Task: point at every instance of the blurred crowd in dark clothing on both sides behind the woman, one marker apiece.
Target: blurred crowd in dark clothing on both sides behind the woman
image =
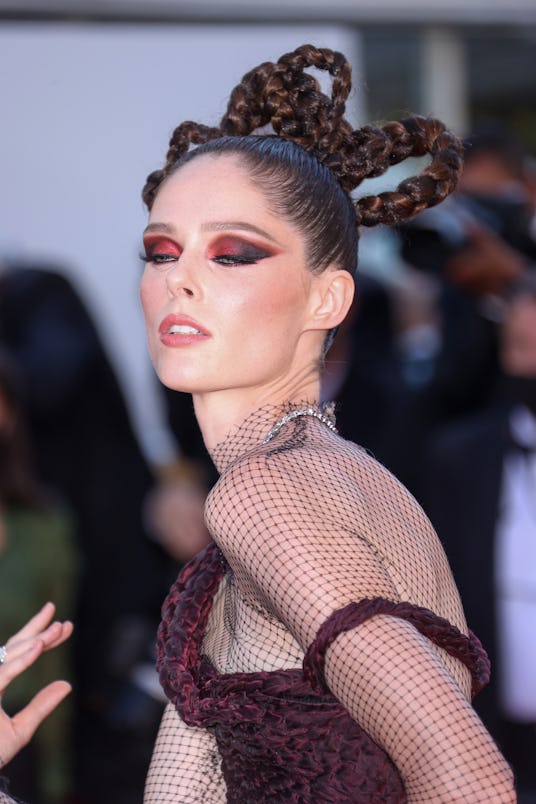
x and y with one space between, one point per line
434 373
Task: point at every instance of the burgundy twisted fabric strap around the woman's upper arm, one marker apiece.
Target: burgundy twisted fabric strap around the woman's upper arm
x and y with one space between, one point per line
468 649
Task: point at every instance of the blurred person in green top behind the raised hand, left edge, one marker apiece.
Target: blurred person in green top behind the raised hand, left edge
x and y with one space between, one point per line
38 563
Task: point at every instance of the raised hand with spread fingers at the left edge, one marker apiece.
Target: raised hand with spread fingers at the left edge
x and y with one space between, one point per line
23 648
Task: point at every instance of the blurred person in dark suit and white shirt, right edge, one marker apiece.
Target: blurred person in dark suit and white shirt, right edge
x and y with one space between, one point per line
478 486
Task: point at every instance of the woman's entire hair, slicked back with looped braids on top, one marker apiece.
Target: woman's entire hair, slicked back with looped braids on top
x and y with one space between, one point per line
309 166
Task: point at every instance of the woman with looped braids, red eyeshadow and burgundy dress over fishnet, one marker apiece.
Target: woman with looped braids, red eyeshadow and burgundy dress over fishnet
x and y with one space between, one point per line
318 650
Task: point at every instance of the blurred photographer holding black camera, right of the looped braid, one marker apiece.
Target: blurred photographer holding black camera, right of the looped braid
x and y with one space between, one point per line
475 250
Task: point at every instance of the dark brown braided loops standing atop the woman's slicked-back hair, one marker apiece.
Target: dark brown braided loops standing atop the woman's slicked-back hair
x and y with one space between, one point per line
286 96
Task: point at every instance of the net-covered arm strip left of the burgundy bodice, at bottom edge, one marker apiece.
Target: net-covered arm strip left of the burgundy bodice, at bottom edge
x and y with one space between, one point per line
186 765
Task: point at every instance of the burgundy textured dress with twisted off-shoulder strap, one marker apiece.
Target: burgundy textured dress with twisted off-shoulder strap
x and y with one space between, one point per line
282 736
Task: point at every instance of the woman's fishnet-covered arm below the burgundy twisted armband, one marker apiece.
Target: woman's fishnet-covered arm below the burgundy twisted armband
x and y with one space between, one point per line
394 684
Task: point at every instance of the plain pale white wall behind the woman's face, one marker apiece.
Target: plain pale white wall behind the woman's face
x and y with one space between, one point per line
87 113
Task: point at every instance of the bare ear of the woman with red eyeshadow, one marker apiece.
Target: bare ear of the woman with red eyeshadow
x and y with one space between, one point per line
331 298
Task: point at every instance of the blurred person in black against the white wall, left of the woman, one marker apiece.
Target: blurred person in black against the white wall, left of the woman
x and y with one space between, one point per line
86 452
